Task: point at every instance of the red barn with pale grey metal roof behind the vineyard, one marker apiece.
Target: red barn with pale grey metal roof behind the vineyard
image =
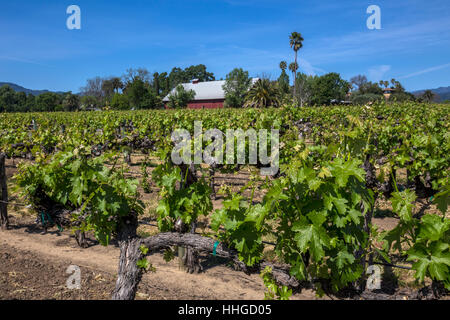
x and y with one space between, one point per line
208 95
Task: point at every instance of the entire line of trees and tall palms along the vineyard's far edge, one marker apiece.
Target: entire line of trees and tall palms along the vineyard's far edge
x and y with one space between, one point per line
139 89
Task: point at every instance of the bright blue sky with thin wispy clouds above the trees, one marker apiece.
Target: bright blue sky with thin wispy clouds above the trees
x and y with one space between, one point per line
37 50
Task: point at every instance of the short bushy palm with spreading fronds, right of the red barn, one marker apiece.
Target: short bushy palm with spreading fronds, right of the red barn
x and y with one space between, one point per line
263 94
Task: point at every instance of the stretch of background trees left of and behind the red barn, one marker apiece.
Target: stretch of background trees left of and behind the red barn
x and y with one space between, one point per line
135 89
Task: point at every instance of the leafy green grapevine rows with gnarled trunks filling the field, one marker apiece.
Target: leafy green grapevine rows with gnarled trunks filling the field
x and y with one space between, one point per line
309 226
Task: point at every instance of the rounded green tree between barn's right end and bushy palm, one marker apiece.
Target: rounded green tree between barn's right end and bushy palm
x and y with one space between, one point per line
237 84
